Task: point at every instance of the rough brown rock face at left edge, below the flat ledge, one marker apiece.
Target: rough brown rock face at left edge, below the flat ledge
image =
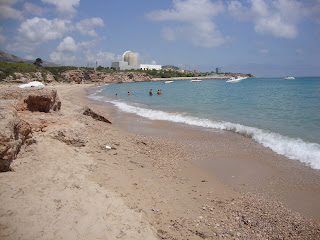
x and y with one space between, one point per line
13 134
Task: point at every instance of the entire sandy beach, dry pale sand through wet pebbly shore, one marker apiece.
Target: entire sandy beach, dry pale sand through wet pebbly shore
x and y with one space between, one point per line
158 181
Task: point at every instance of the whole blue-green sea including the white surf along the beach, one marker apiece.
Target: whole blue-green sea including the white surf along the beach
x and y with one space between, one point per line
283 115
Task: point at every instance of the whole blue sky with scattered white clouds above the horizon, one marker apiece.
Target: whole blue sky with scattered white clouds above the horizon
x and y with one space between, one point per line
266 38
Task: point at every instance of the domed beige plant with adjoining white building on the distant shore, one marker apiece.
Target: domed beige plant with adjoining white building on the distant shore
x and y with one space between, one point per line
130 61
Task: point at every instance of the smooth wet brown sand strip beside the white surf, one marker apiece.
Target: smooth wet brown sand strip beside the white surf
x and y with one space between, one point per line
239 162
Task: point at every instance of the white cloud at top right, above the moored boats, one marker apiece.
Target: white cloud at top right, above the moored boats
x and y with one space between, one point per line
275 17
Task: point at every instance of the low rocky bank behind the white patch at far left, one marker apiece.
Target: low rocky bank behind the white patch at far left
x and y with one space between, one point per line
18 77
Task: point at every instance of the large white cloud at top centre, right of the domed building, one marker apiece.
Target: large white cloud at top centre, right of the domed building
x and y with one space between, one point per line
193 22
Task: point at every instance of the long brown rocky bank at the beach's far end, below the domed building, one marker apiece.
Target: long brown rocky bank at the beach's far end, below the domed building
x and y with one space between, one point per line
91 76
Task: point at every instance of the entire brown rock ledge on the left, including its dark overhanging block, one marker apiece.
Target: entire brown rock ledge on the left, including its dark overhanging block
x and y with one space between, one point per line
15 128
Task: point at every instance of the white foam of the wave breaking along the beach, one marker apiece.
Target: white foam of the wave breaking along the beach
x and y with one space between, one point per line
296 149
